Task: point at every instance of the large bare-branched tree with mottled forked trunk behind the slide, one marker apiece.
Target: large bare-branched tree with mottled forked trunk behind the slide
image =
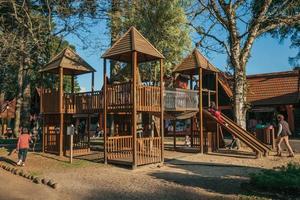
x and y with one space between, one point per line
231 27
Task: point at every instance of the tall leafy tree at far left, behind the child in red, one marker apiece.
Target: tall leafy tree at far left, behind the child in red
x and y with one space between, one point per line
28 30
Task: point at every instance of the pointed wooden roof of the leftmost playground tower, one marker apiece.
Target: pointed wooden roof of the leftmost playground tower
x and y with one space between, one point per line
72 63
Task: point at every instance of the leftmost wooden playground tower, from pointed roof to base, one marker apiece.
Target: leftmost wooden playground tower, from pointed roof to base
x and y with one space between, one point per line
58 106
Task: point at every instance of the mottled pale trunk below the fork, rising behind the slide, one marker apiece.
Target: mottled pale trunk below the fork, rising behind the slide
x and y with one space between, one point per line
240 92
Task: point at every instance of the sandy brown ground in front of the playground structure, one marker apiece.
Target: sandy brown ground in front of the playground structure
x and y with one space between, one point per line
183 176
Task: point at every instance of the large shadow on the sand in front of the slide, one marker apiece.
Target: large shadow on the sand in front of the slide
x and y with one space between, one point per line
215 178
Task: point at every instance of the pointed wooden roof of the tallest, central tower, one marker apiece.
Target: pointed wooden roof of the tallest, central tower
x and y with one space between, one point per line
131 41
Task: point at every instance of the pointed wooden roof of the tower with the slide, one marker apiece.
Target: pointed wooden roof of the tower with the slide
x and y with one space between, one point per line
192 62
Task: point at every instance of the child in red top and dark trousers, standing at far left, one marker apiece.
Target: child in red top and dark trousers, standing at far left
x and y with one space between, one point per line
23 146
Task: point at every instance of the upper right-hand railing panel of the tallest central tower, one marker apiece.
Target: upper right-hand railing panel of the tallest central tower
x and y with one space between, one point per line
148 98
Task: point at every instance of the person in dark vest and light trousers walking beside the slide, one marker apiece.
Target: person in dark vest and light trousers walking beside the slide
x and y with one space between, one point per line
283 135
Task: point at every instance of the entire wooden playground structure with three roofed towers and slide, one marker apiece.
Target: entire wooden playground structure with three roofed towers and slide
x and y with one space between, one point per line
132 114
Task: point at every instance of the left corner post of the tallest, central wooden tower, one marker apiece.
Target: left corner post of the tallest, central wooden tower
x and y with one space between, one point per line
105 112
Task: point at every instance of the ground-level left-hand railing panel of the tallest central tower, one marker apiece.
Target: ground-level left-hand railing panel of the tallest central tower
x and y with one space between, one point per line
119 147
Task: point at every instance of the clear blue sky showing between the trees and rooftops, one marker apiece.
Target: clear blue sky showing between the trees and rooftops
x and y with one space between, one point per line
267 55
